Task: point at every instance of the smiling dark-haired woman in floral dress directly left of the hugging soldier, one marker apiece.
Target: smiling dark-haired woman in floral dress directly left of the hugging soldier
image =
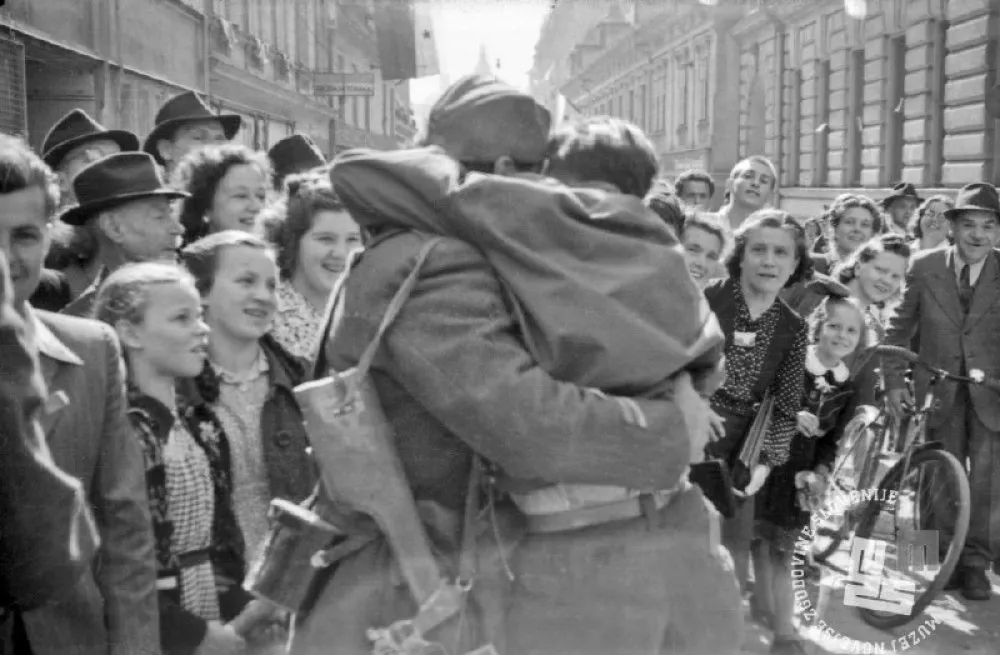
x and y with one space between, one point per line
314 235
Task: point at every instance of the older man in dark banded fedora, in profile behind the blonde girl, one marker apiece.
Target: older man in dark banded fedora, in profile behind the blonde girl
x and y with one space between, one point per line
124 201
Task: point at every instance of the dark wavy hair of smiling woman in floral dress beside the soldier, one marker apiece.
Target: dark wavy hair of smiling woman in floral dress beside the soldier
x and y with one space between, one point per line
286 222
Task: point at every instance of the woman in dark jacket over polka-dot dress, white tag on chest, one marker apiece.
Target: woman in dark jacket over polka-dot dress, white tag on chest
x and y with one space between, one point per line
765 353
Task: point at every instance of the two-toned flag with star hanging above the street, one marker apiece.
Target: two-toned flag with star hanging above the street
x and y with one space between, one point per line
407 45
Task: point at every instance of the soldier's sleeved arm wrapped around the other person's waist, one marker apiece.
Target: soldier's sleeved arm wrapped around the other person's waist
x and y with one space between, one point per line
456 349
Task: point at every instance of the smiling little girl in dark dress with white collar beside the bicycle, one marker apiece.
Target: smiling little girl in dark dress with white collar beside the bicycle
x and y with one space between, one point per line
793 488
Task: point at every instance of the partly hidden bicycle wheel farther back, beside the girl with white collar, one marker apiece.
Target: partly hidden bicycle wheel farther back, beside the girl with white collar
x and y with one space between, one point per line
855 468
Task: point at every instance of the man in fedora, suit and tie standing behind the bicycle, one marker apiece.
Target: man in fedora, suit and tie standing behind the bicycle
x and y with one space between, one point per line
950 306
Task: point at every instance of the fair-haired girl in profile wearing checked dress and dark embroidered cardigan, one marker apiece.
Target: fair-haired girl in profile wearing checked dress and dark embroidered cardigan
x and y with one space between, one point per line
156 312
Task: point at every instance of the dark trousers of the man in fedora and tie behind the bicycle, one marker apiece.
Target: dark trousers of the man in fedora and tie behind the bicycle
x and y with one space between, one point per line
977 447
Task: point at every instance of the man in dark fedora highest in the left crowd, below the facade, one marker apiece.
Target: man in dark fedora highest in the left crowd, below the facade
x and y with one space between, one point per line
184 123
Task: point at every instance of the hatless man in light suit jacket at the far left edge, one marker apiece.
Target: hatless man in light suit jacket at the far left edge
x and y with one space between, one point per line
111 609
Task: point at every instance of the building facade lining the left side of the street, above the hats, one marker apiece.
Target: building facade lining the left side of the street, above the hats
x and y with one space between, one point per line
120 61
